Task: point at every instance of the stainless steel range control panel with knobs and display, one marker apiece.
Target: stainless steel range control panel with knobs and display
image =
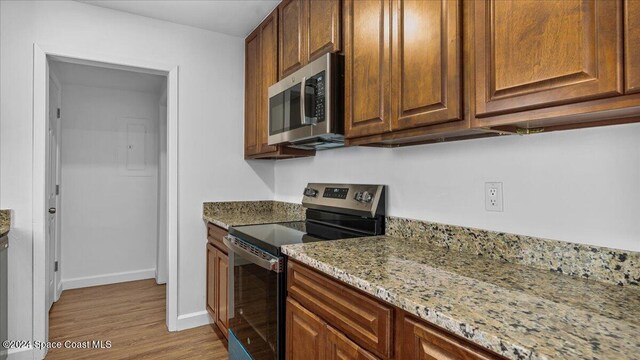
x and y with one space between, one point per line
364 200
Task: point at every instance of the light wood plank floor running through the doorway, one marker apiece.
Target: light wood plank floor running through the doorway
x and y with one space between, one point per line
132 316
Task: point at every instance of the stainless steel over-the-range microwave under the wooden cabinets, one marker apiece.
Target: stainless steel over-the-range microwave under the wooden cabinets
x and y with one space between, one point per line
306 107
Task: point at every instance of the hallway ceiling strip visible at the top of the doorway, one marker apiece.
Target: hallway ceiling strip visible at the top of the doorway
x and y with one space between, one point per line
86 75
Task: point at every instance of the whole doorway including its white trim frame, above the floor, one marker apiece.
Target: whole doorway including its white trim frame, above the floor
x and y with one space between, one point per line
105 176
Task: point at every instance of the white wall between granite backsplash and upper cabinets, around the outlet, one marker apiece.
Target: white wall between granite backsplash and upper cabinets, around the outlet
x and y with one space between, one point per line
581 186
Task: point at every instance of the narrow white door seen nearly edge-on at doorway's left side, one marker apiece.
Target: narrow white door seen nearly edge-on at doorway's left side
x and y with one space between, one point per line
51 186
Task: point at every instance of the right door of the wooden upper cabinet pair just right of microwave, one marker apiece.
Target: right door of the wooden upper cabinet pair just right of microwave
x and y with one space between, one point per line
426 63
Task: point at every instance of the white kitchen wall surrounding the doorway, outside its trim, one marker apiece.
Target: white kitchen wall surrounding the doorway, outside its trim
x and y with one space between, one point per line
210 133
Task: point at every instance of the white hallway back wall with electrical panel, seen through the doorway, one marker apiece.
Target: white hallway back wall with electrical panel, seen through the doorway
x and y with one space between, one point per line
109 215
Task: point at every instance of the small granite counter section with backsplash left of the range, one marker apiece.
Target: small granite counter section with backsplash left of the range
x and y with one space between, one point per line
230 213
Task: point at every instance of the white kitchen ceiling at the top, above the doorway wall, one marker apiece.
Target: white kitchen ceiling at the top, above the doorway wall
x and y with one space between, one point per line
236 18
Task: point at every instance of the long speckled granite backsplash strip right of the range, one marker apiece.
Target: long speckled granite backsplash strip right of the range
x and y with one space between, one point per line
599 263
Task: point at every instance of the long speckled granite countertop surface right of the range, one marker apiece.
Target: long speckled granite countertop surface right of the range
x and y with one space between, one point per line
515 310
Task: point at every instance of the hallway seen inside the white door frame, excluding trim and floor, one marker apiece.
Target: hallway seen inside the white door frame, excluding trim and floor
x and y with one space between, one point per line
106 178
